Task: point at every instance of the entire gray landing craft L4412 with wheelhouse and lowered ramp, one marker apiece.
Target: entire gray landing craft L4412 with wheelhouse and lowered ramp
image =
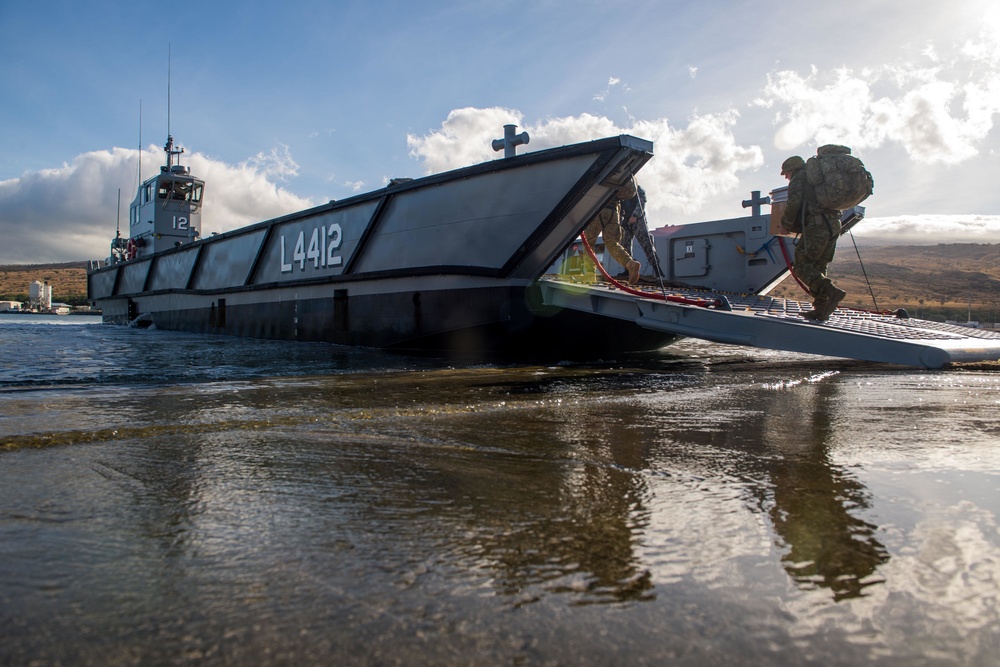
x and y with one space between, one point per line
469 260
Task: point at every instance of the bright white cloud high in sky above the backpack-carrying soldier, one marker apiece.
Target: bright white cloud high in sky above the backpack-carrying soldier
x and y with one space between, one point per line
939 111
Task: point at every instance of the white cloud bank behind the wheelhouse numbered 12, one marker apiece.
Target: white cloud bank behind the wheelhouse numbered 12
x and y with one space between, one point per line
69 213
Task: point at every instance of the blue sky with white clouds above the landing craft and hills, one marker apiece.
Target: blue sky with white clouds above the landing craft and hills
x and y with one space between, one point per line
283 106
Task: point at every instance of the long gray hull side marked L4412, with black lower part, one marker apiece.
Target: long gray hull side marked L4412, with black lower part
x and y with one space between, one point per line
447 262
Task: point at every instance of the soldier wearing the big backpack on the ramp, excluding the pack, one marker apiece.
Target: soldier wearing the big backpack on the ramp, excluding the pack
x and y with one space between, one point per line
820 230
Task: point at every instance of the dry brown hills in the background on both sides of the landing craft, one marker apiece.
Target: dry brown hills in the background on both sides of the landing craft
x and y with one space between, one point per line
936 282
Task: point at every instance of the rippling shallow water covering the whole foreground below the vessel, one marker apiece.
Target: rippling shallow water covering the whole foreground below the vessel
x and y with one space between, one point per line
172 499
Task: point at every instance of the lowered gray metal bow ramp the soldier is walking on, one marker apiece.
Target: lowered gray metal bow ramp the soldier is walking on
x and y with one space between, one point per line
777 324
